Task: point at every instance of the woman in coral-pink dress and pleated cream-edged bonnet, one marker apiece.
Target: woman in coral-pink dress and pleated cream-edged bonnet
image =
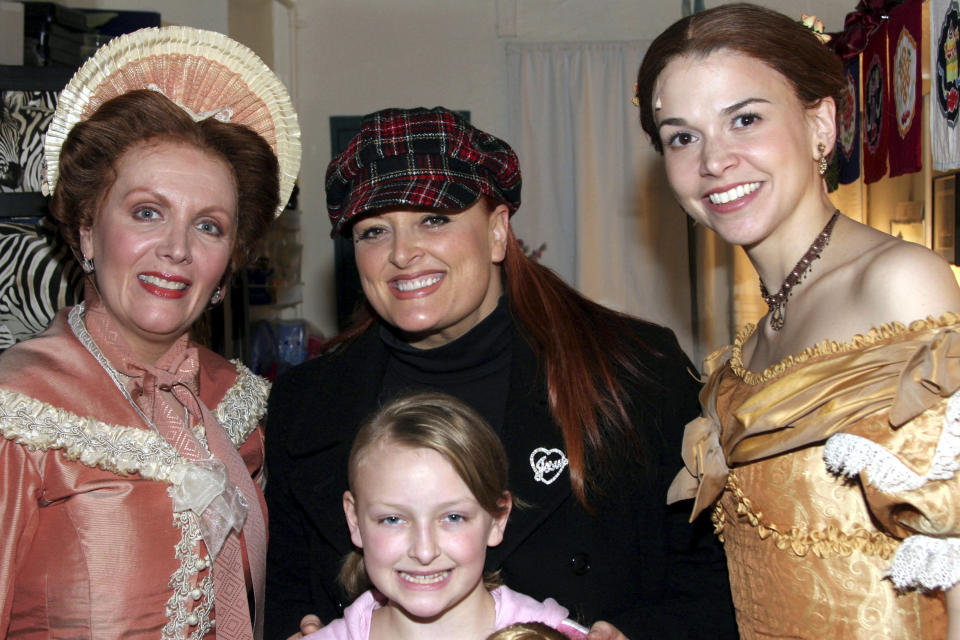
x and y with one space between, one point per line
131 455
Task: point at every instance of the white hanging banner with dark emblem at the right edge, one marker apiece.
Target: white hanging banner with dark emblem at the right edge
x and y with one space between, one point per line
945 85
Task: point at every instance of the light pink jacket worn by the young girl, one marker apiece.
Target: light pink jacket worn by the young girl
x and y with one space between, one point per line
512 607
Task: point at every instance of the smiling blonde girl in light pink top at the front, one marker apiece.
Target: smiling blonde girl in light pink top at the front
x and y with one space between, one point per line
428 494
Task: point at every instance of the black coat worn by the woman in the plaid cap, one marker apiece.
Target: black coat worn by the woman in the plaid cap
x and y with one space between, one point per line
636 562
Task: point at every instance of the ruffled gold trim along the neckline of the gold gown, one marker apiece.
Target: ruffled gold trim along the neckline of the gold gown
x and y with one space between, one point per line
884 333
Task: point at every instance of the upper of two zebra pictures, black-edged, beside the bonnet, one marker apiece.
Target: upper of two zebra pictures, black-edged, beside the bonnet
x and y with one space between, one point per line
28 98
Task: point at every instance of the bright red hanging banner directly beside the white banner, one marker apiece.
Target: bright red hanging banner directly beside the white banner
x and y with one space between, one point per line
905 115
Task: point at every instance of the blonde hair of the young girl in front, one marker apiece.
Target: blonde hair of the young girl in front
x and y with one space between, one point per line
441 423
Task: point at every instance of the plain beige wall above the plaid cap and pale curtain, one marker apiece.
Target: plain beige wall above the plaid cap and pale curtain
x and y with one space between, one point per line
357 56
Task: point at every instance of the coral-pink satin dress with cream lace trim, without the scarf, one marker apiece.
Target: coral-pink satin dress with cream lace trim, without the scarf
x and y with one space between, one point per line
90 543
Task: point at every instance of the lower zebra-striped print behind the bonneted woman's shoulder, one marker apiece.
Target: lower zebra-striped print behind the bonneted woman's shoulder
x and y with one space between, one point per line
38 276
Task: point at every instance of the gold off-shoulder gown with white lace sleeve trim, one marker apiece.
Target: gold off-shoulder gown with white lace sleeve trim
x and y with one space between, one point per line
836 471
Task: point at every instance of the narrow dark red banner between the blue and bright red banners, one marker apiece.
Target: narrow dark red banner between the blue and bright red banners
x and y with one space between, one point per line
875 106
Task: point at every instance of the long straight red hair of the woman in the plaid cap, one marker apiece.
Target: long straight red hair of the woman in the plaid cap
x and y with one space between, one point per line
585 349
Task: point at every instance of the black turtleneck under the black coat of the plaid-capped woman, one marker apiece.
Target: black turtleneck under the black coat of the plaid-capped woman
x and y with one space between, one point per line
474 368
